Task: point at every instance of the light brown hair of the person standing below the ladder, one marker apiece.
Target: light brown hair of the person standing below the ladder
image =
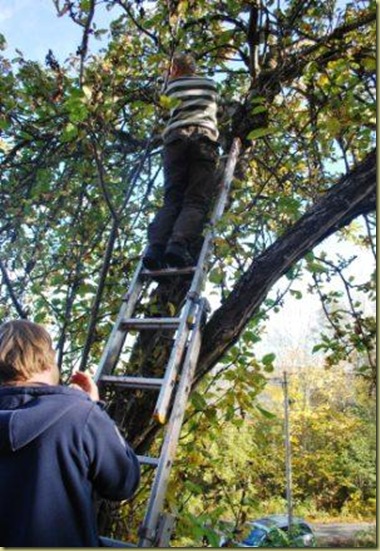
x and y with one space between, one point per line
26 348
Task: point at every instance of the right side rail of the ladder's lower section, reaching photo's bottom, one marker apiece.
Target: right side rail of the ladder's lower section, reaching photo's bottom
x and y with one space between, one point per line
173 430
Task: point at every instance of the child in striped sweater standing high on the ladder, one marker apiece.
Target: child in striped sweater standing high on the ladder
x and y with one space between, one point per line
190 160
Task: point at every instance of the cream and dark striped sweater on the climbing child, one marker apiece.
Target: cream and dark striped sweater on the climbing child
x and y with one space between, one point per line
196 103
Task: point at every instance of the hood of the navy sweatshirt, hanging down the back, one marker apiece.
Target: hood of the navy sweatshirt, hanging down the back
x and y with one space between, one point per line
26 412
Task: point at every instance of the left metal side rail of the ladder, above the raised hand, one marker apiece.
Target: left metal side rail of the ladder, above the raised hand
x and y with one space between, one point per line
117 337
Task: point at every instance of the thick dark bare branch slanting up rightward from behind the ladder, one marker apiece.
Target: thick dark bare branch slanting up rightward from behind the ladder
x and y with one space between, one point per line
353 195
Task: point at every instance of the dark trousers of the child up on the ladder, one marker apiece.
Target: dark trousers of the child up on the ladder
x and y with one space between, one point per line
190 168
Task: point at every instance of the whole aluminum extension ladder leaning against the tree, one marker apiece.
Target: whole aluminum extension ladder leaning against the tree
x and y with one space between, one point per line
175 386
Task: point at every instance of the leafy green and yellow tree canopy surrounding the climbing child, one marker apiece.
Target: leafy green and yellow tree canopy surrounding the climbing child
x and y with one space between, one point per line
81 169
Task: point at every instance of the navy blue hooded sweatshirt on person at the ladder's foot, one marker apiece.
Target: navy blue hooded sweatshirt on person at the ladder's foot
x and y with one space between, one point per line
57 449
